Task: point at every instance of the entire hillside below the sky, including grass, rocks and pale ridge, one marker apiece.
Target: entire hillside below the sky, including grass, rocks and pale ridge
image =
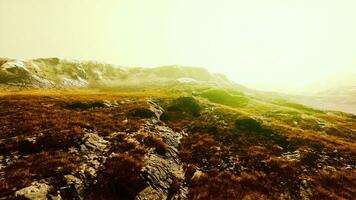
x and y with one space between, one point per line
163 133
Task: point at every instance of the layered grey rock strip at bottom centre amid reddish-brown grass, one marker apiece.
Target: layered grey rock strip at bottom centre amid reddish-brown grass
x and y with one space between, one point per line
164 174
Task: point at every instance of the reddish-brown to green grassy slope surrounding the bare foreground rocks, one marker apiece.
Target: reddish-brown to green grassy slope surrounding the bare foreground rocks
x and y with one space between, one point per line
243 161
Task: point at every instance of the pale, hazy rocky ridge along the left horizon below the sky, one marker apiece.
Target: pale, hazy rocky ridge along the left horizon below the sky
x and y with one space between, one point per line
62 73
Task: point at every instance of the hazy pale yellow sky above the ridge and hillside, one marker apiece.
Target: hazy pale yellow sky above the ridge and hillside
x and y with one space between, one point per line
267 44
